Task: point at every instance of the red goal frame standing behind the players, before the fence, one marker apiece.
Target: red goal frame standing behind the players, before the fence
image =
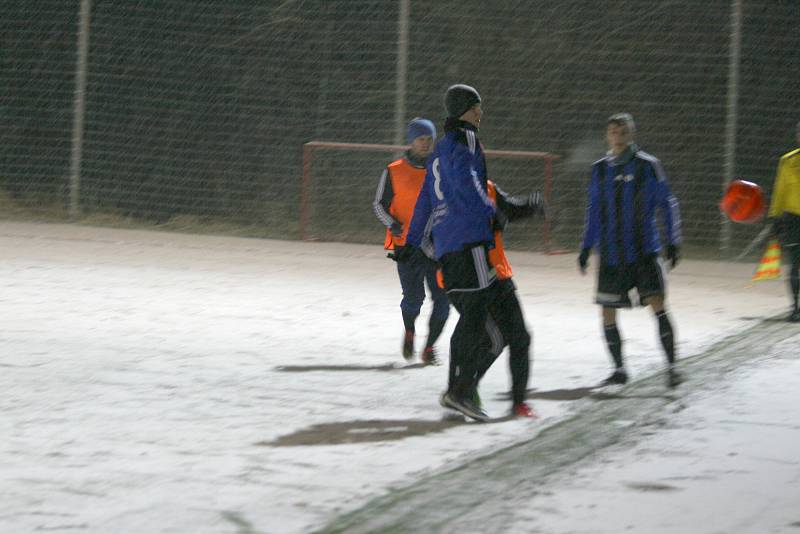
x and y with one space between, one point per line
312 146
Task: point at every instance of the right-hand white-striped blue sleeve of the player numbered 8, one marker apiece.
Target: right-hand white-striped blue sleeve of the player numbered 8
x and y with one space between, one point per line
469 165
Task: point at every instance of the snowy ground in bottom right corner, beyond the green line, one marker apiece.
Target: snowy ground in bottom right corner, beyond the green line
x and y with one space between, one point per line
727 463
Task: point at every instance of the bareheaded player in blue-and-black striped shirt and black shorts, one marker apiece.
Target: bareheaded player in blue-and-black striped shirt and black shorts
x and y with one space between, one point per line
626 188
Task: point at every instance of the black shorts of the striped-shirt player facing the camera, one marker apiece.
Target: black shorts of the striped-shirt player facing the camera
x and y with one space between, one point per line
614 283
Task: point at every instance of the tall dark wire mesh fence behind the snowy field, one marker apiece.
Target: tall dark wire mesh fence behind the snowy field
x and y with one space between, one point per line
195 113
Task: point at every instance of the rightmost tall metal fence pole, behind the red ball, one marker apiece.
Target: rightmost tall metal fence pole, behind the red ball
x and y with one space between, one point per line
732 116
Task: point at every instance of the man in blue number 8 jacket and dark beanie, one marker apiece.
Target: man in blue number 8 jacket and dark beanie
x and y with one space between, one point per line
455 209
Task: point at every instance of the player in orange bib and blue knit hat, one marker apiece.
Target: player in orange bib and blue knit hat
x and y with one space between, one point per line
394 202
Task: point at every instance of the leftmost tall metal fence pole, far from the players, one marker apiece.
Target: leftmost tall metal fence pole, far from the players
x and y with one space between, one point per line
81 67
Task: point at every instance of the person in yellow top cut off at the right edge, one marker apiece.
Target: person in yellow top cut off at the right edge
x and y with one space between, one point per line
784 213
